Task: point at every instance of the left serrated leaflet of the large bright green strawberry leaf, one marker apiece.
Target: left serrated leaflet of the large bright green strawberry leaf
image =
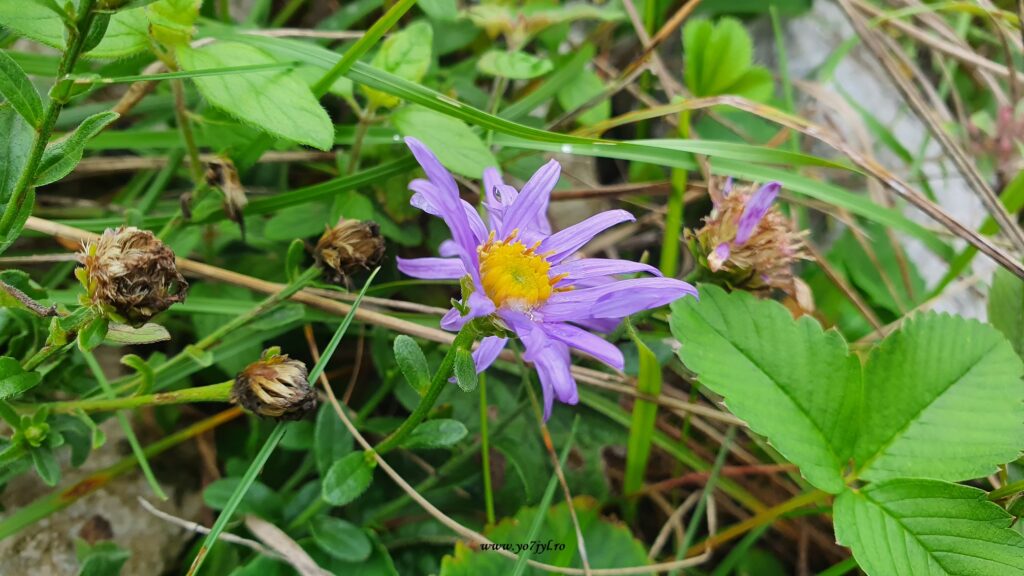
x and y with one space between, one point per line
789 380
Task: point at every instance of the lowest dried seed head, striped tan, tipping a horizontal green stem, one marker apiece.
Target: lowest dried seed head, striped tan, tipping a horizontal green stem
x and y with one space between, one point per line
275 387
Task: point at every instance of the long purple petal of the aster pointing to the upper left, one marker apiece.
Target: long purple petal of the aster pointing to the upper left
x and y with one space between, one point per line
444 196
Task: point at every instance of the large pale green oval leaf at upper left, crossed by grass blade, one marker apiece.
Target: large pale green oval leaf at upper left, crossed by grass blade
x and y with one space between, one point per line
279 103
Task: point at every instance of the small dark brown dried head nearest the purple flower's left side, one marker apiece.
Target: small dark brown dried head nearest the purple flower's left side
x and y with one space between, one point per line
350 246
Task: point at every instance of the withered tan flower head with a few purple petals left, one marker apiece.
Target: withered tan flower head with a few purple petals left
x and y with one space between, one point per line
750 242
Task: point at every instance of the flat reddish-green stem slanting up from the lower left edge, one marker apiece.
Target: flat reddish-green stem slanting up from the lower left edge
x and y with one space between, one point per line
63 499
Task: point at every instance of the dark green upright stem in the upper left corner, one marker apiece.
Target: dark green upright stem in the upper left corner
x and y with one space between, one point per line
60 94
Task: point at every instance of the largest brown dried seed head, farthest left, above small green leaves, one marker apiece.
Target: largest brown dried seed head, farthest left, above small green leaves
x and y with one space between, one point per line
132 276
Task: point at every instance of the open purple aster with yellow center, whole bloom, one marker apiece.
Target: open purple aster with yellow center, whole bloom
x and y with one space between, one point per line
520 276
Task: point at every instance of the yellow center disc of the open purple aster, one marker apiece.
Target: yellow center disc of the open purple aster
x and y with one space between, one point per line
516 275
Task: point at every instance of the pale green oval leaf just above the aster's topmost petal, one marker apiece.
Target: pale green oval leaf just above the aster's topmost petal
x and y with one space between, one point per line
458 148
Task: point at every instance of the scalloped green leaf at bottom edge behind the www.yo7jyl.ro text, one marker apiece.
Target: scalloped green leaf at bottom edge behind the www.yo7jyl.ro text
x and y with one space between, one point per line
610 545
